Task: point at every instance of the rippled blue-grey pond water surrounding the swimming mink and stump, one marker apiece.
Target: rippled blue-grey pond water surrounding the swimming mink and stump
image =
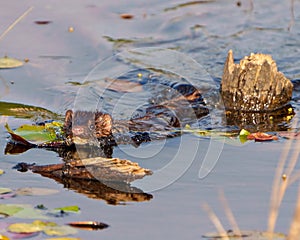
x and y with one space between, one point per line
66 69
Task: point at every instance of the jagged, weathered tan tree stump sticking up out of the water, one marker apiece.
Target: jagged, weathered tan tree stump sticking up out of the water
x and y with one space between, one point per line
254 85
